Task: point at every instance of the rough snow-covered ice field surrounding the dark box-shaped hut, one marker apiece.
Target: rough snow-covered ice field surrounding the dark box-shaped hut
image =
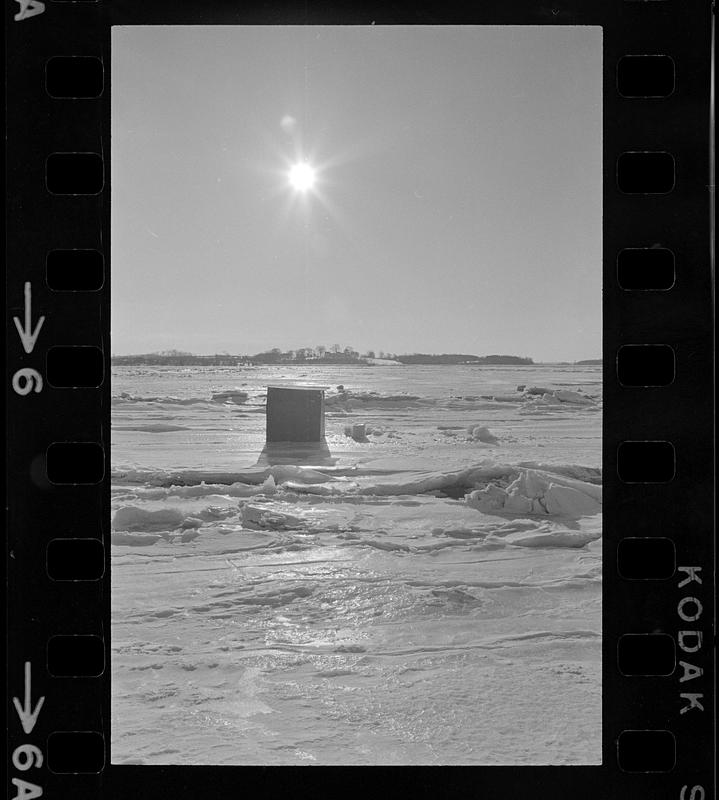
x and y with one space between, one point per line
431 594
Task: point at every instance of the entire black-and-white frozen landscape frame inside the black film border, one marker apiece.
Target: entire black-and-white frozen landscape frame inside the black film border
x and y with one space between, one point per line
356 395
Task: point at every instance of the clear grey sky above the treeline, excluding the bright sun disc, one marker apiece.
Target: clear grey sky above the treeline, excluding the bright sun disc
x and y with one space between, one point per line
458 198
